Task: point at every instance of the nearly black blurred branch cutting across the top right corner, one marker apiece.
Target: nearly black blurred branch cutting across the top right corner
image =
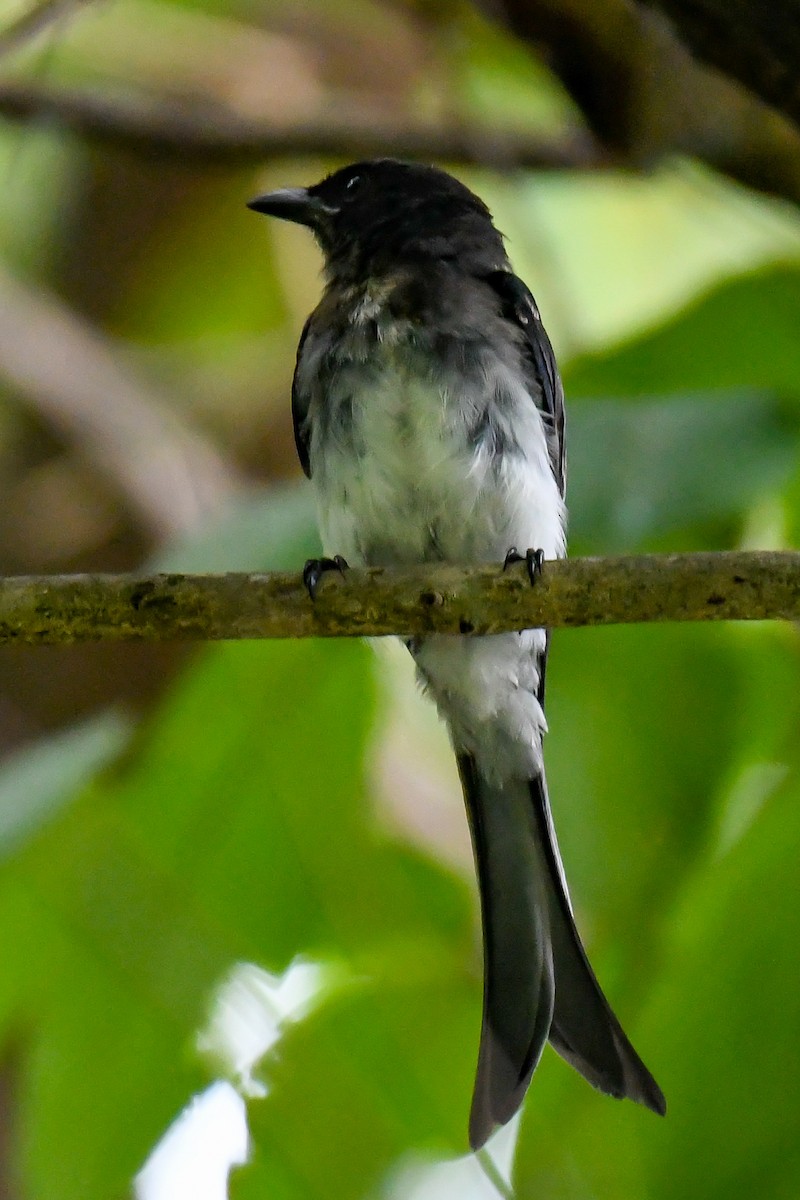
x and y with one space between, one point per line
755 43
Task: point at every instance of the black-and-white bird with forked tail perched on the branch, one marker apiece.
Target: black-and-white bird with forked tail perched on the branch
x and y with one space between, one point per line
429 415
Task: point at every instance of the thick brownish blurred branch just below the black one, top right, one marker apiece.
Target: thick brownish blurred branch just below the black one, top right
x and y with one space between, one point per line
646 98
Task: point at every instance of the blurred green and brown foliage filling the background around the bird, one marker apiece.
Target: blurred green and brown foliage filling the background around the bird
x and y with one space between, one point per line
167 814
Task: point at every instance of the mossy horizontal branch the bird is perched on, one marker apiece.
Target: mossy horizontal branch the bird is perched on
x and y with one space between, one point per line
435 598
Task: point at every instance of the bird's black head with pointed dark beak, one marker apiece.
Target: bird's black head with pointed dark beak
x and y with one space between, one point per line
374 217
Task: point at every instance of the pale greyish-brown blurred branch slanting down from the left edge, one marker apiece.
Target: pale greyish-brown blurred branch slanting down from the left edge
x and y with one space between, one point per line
82 387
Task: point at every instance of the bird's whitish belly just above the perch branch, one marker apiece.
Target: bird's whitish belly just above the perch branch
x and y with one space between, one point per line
410 484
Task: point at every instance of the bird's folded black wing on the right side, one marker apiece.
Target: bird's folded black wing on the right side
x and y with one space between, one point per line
520 308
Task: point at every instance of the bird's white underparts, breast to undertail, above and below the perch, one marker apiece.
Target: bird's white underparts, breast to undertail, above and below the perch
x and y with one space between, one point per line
416 461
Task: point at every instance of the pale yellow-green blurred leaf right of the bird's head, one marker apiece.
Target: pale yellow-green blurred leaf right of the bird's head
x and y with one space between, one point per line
610 255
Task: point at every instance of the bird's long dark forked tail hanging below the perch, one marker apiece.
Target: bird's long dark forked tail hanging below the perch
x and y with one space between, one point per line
538 982
